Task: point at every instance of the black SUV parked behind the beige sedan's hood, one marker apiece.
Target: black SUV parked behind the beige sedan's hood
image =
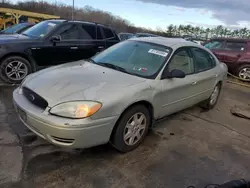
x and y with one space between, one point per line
49 43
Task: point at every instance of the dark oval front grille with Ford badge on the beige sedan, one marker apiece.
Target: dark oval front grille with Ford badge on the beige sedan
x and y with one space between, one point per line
34 98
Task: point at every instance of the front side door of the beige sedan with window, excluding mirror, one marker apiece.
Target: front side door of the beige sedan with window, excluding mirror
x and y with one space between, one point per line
178 93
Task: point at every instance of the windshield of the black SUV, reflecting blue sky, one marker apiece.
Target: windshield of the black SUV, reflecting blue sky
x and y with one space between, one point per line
41 29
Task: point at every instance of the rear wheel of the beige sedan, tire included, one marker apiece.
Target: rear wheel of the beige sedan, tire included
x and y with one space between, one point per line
213 99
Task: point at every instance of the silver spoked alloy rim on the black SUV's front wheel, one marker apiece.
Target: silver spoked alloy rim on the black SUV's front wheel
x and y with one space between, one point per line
16 70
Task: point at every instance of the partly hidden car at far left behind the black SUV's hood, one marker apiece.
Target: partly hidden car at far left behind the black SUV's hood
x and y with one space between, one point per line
17 29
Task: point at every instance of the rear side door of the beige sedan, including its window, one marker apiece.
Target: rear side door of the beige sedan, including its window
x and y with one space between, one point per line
206 73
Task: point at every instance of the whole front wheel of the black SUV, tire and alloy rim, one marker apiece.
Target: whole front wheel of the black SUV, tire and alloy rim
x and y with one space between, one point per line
17 67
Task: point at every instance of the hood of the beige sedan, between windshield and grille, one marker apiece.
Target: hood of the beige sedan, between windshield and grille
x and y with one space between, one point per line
80 80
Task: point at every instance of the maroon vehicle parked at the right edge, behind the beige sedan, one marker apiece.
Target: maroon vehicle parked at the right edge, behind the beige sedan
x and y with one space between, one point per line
235 53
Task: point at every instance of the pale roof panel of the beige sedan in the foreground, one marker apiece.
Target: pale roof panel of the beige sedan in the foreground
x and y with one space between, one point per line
174 43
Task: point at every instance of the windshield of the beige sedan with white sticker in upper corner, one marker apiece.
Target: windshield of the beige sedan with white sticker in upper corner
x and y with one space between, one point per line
135 57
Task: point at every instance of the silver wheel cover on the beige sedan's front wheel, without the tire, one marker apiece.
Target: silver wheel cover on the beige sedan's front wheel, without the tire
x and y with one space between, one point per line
134 129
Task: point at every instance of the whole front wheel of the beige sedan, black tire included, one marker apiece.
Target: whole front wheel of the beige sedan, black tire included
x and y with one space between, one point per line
118 141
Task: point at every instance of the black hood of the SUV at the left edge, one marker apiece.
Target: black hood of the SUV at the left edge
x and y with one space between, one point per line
17 38
